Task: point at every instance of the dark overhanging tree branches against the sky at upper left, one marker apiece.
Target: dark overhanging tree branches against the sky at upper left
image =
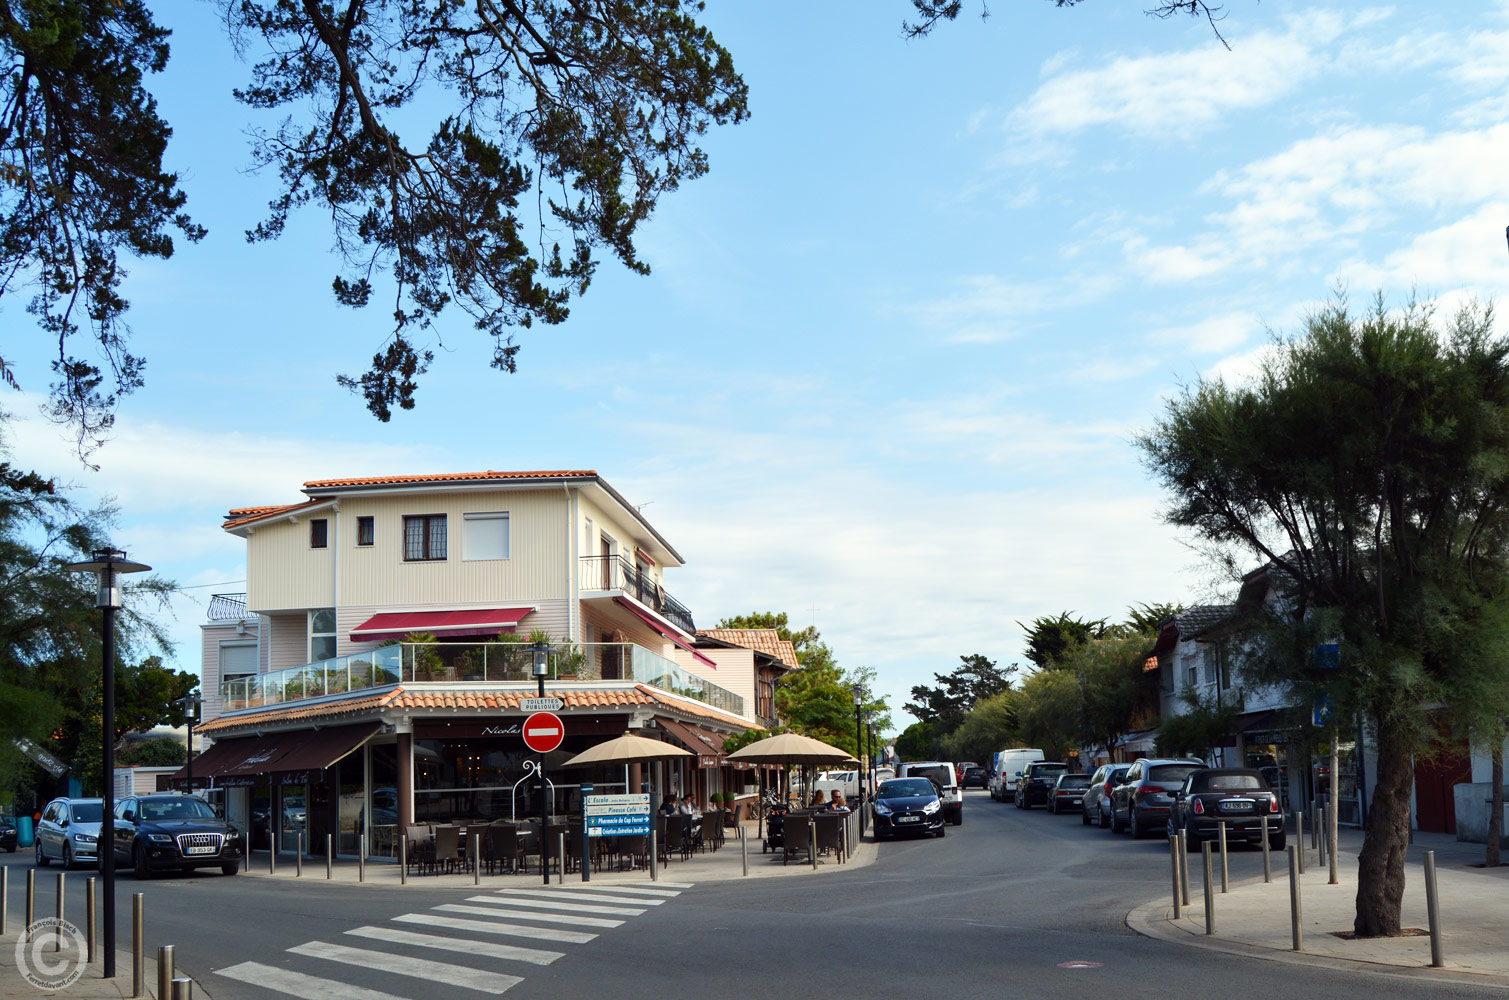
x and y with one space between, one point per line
561 126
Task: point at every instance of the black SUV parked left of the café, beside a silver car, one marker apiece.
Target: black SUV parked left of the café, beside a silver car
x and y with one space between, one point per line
174 833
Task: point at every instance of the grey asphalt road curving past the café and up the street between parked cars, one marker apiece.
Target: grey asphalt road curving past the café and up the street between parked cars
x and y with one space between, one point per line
992 910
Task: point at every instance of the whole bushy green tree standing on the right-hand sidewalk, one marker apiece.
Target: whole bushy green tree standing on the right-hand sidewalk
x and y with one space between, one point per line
1368 467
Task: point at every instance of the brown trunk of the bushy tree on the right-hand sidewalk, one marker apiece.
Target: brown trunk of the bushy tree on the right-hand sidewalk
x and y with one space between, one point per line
1381 863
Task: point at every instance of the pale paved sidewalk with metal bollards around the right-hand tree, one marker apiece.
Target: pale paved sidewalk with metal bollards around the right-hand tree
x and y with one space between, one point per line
1255 918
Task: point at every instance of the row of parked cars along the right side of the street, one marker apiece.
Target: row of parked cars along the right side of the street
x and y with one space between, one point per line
1158 796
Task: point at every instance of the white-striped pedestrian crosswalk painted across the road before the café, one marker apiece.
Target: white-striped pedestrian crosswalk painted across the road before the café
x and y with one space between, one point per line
488 951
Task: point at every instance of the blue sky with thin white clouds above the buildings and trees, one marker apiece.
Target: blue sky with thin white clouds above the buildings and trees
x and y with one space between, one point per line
896 346
